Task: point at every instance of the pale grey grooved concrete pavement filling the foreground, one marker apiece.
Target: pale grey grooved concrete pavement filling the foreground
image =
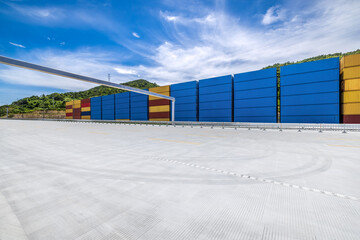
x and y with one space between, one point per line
105 181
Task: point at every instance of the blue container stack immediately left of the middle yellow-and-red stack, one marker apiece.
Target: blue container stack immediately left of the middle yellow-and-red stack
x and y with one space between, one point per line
138 106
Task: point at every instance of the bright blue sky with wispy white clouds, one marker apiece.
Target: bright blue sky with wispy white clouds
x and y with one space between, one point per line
164 41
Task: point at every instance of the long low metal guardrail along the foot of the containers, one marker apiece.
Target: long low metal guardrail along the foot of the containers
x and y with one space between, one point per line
235 125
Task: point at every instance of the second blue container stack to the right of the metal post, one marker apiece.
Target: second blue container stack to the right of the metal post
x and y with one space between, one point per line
215 99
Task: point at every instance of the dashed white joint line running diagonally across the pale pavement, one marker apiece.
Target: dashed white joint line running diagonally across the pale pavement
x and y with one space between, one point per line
328 193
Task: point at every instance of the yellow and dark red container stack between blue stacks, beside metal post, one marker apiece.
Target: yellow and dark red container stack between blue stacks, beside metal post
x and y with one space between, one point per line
159 108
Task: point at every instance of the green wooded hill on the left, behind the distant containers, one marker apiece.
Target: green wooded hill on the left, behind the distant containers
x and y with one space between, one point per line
56 101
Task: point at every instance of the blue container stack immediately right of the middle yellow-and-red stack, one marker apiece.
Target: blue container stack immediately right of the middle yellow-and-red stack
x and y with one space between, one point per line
186 100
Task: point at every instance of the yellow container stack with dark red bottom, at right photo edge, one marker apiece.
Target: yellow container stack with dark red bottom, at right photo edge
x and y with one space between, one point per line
350 82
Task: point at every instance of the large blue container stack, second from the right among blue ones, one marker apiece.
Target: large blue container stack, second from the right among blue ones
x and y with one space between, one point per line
255 96
